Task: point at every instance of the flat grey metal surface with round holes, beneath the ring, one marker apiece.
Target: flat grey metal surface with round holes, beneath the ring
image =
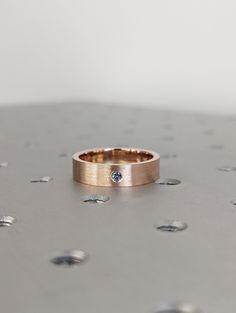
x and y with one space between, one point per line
132 267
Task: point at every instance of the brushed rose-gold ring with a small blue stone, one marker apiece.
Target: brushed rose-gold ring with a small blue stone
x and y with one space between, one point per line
116 167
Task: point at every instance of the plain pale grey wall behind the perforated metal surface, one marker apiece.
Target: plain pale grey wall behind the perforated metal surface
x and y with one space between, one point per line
178 54
